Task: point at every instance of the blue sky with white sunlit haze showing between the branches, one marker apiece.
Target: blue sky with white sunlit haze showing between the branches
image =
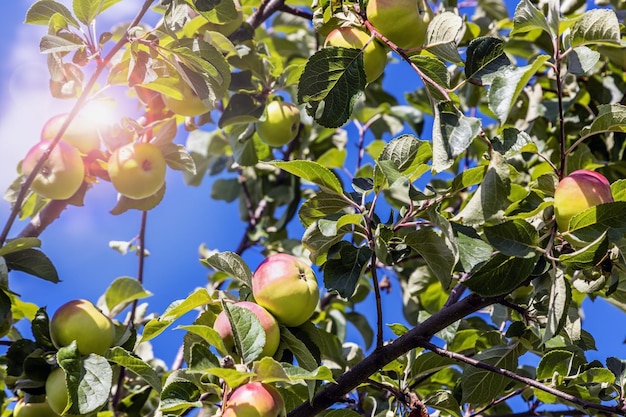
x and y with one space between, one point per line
78 242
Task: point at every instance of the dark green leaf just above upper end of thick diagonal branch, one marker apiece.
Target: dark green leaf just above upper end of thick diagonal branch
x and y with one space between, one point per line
500 275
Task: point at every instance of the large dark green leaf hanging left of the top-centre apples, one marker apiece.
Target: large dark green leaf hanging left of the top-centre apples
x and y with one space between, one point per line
332 80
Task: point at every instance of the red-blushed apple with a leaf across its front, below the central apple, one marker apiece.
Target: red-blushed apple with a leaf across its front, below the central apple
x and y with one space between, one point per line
272 331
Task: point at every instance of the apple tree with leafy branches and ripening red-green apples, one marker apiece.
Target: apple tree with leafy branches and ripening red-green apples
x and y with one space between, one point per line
440 192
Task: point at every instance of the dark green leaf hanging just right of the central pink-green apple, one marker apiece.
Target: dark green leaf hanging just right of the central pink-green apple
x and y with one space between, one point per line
344 267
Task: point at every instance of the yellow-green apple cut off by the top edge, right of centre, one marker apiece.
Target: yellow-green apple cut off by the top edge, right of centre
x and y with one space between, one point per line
403 22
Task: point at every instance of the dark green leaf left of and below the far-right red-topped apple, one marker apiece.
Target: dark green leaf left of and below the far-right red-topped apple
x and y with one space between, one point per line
514 238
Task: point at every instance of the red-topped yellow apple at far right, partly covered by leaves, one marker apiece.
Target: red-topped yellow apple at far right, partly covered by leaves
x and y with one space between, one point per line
577 192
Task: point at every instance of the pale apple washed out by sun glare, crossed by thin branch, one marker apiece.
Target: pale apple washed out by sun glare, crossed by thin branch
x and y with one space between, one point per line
82 133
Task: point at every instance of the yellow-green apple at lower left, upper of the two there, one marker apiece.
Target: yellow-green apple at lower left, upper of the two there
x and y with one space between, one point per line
82 321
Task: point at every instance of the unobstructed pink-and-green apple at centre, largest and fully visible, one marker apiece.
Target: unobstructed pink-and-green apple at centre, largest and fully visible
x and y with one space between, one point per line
287 287
